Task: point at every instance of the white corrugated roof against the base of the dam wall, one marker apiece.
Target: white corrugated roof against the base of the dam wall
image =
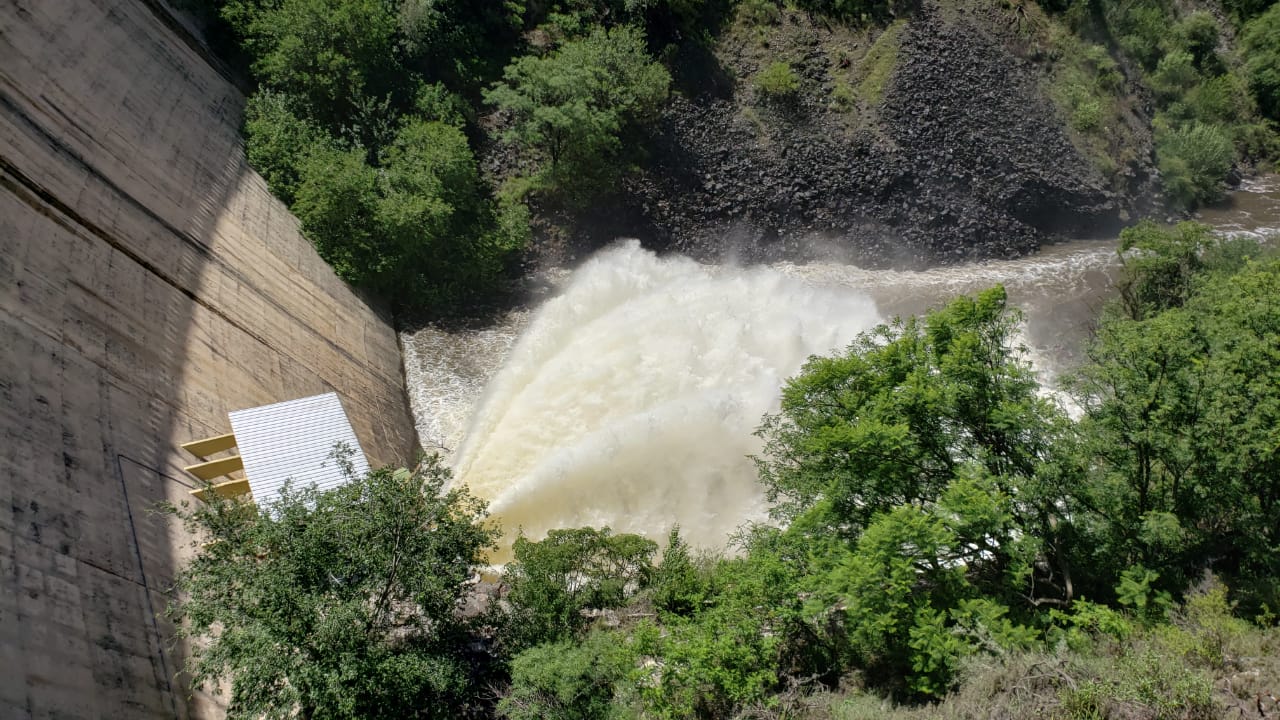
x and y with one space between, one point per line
295 440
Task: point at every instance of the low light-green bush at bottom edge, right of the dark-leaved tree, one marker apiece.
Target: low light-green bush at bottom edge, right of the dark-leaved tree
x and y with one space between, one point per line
568 680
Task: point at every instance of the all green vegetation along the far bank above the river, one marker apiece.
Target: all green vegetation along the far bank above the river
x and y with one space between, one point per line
369 116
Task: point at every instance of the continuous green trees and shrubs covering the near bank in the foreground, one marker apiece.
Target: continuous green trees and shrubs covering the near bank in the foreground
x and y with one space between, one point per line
943 531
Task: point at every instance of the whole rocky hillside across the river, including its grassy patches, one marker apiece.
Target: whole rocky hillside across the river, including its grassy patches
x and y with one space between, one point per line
931 140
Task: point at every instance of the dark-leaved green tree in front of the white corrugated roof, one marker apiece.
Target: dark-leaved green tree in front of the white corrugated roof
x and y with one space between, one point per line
336 604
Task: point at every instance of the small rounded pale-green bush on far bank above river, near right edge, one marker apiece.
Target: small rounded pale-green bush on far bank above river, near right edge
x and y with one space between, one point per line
1194 163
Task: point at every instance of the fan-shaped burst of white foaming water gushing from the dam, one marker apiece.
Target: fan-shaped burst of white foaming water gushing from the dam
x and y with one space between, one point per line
630 399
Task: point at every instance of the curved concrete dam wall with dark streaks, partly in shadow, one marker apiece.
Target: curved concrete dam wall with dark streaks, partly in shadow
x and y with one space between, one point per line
149 285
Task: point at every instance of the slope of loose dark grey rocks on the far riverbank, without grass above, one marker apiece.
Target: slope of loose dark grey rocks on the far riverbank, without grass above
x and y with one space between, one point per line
967 160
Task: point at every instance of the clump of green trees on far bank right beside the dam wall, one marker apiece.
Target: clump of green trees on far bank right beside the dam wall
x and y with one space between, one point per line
369 153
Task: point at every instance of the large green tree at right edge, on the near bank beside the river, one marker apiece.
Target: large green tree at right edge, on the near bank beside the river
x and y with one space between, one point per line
1181 405
